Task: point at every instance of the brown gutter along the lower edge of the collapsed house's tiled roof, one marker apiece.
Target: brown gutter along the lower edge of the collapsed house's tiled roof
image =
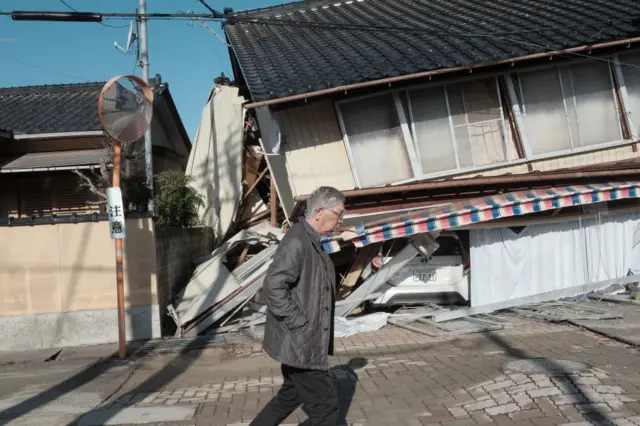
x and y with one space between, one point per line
424 74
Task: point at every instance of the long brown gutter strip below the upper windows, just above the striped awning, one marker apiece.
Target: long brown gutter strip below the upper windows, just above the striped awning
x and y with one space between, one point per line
480 181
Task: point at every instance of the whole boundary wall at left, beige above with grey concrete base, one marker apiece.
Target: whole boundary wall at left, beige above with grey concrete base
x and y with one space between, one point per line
57 285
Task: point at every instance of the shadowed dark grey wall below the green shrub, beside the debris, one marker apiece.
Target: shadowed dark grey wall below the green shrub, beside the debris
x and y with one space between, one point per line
179 251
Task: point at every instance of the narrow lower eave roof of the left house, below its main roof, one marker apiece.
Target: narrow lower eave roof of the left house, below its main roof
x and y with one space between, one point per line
51 160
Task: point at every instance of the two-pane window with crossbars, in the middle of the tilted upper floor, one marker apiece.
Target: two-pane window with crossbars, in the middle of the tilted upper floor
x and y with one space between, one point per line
459 126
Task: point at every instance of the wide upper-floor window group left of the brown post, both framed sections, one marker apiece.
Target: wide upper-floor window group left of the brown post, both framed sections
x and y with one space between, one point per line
444 128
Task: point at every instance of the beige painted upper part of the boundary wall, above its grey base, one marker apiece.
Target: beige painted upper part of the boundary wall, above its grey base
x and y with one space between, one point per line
71 267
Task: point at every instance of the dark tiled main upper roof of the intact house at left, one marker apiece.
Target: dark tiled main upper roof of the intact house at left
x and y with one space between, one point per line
52 109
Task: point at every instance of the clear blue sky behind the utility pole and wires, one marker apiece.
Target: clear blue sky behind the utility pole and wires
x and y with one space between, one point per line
187 57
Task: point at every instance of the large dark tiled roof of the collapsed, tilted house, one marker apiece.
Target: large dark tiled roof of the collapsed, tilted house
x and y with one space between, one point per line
314 45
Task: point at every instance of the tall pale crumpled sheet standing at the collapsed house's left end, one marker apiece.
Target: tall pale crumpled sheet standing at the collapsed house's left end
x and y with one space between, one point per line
215 162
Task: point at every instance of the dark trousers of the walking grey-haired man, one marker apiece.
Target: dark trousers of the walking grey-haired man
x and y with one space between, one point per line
316 390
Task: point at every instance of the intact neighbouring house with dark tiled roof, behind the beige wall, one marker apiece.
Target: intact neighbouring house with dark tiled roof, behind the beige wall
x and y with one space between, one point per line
55 130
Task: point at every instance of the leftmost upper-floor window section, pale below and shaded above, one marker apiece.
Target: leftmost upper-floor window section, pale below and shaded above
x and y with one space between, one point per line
376 140
